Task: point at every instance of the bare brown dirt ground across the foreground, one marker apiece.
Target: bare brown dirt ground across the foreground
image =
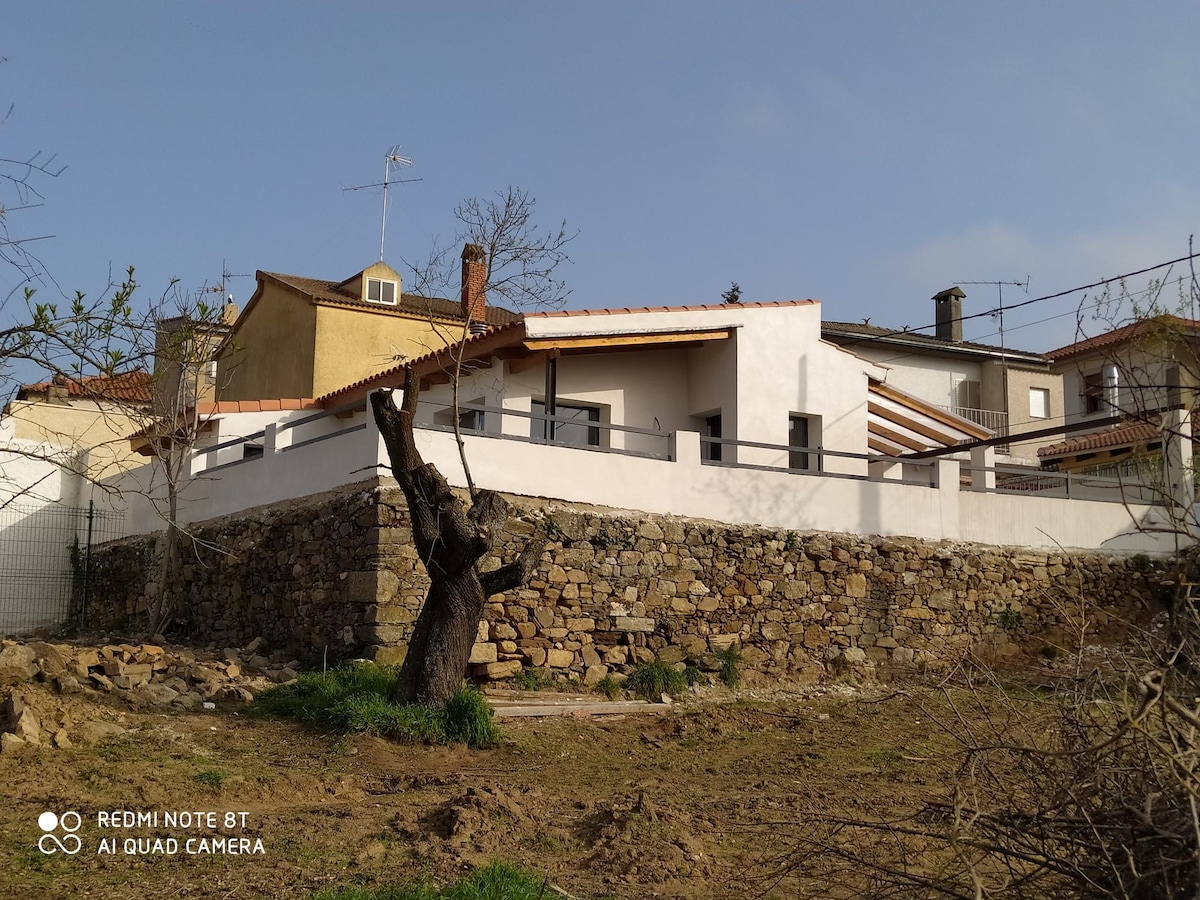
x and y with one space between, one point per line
693 803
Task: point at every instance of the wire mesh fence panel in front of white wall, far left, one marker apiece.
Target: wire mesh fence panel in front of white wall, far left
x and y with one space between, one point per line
45 563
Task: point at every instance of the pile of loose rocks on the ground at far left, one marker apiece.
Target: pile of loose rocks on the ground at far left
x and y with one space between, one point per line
143 677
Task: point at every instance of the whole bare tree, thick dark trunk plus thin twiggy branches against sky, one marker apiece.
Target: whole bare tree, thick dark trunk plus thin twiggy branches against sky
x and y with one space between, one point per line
519 267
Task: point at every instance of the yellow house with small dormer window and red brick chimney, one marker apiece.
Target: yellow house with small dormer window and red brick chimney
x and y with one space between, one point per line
303 338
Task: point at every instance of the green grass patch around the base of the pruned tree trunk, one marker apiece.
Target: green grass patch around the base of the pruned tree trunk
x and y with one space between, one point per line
358 699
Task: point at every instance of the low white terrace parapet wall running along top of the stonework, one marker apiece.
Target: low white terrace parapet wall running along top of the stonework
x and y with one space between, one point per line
681 487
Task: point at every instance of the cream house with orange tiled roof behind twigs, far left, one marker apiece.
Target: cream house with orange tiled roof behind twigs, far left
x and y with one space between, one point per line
92 416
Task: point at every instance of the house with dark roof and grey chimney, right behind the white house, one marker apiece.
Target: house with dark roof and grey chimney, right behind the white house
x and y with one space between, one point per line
1005 391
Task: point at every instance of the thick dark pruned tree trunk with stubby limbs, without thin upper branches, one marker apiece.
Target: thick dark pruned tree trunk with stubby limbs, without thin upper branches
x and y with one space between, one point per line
451 539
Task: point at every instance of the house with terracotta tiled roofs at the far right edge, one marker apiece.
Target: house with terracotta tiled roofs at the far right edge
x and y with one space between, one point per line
1133 373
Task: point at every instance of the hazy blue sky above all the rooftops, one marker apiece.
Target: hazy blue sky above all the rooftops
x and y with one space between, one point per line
866 154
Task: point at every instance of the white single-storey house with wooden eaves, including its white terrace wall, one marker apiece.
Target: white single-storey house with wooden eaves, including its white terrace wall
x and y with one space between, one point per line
739 413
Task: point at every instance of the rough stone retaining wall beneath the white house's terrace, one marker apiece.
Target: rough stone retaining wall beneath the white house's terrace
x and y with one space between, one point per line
339 578
